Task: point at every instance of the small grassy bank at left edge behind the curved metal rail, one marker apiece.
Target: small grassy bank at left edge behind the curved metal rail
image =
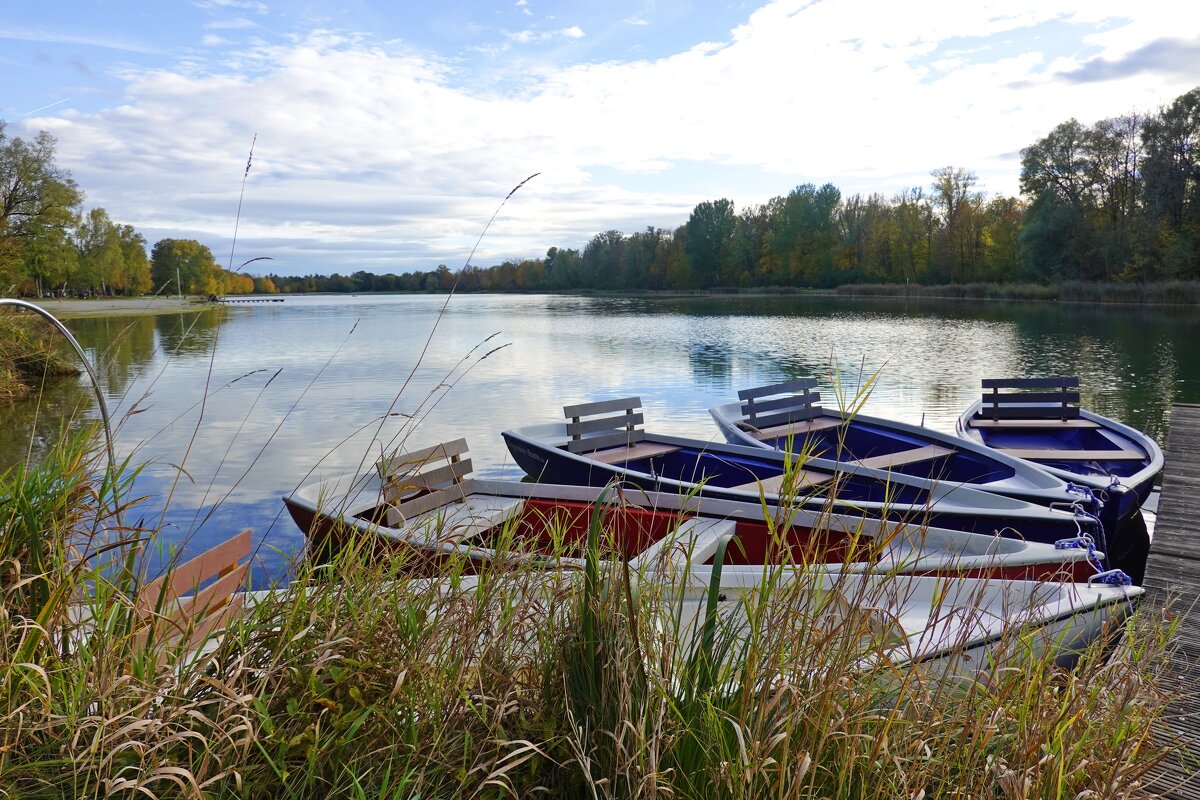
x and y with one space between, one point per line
31 352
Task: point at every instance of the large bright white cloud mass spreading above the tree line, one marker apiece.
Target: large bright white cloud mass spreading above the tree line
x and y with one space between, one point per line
377 158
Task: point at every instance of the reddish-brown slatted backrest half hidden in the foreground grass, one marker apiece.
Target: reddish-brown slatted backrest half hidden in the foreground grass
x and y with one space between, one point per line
176 609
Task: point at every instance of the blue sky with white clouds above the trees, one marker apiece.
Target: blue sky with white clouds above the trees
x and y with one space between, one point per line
386 135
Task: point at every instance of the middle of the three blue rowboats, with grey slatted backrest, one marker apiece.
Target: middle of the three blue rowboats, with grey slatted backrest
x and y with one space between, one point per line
789 417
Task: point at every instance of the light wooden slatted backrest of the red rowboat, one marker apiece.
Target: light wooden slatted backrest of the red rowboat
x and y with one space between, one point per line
422 480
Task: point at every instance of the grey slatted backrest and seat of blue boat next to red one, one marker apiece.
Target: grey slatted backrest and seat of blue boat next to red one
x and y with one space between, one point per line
611 435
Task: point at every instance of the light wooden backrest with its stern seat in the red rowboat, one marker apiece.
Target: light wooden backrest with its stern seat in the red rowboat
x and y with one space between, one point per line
430 492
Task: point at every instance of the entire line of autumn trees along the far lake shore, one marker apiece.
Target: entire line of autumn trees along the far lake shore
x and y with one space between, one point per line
1118 201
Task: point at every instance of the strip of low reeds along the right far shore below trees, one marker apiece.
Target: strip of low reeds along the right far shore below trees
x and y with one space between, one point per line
1171 293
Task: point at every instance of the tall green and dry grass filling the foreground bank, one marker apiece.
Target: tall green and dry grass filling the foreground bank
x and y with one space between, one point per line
363 682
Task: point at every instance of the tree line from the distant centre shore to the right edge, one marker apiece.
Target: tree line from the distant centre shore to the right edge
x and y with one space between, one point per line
1114 202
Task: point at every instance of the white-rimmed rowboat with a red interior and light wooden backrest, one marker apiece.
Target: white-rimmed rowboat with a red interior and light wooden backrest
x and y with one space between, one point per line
428 506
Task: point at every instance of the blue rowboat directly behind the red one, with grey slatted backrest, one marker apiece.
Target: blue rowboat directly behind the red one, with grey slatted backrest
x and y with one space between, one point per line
603 442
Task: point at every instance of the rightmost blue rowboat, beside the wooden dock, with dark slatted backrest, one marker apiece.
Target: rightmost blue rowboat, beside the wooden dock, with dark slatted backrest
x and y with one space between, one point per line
1040 420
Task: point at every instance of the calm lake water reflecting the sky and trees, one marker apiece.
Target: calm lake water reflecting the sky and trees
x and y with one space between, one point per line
231 408
